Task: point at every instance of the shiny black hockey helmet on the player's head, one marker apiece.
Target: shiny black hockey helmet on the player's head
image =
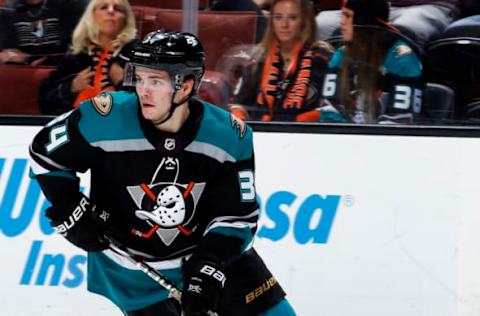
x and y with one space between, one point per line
178 53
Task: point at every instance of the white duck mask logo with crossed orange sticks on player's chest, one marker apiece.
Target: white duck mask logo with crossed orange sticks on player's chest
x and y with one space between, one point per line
167 207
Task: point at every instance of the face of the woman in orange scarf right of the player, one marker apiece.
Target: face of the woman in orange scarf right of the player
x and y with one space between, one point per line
287 21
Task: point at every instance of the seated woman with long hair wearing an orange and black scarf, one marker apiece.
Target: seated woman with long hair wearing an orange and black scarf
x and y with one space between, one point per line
284 81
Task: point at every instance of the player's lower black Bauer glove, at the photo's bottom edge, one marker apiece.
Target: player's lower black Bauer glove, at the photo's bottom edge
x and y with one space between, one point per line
202 288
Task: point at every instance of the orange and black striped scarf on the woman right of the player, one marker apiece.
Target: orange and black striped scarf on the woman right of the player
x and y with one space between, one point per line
291 86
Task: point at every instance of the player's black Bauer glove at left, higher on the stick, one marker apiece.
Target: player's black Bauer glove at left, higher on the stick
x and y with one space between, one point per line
81 223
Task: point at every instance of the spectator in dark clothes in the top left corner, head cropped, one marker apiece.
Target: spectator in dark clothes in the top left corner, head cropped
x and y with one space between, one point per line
38 31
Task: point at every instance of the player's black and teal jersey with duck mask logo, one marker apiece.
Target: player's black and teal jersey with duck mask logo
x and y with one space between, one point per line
164 191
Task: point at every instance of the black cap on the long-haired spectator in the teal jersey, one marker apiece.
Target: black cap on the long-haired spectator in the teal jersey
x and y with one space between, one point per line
369 12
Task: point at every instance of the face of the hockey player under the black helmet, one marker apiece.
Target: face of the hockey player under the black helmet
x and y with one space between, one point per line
155 90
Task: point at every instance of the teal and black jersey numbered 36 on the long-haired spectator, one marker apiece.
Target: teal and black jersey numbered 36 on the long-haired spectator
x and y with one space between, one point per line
400 88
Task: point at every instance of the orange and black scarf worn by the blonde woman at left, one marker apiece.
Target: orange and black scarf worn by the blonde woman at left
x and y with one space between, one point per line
101 81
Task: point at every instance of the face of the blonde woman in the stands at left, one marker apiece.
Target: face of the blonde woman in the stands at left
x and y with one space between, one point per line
110 17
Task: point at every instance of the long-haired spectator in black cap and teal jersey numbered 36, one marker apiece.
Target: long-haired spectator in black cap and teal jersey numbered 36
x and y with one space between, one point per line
375 77
